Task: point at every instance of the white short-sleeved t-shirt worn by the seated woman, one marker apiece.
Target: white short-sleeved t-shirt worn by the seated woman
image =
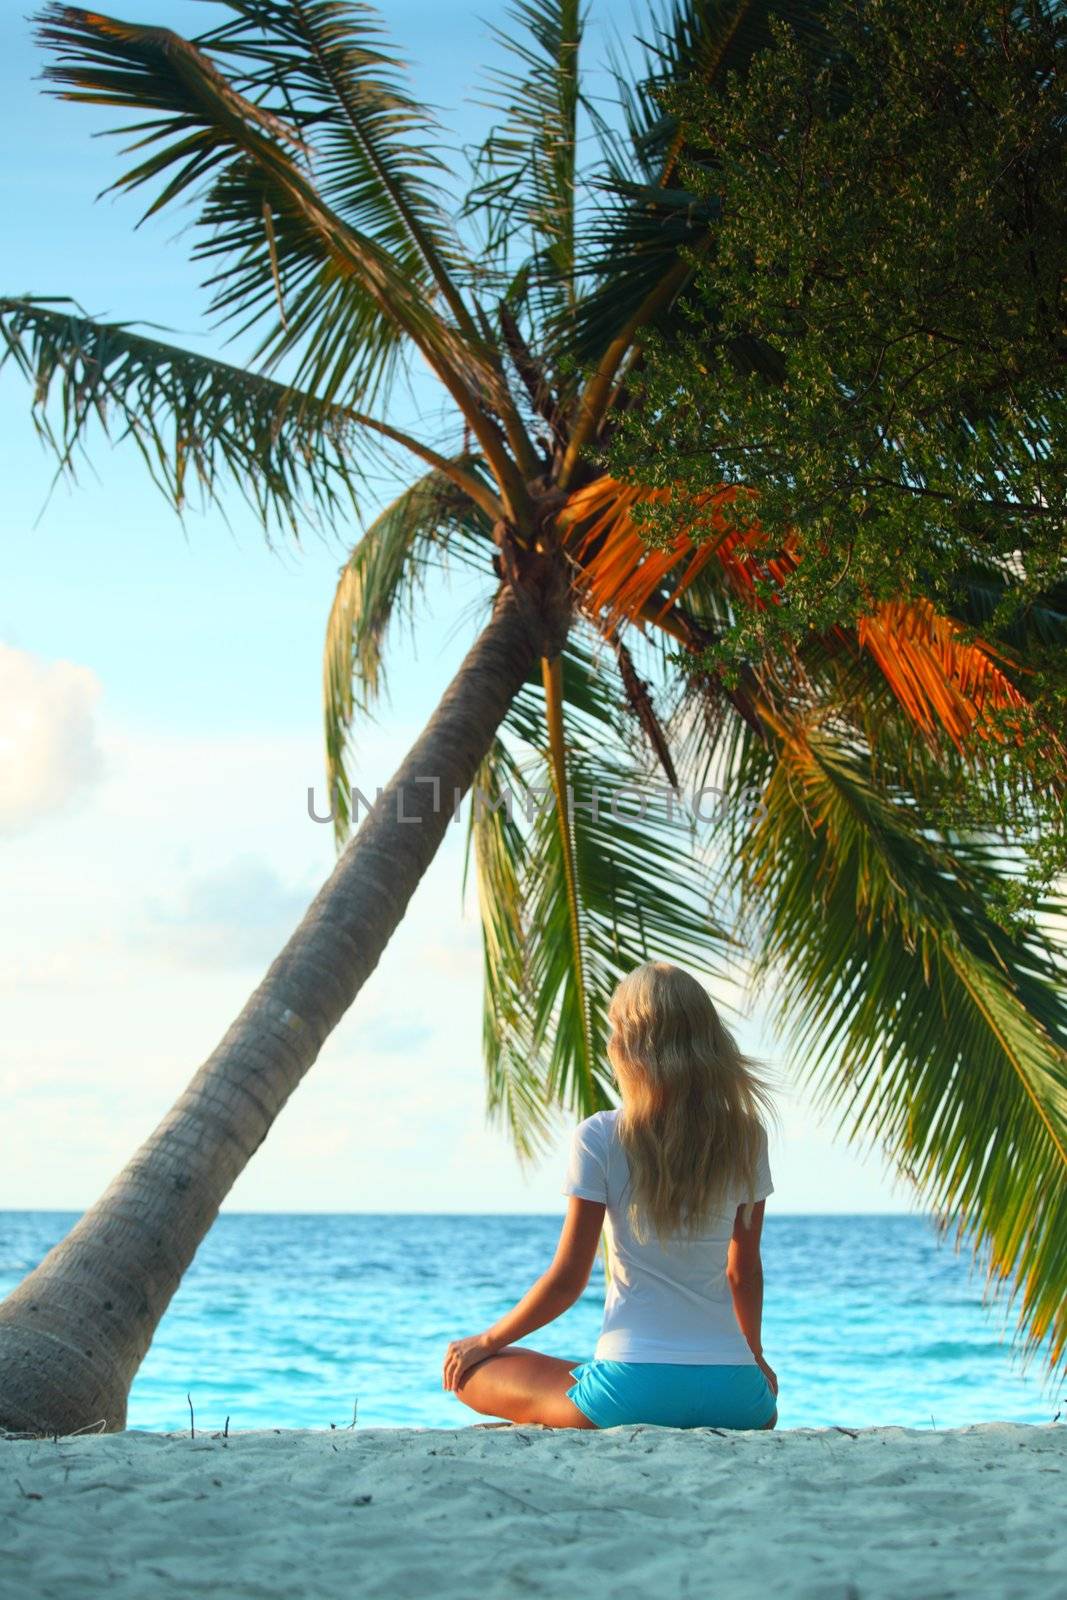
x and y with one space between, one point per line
661 1305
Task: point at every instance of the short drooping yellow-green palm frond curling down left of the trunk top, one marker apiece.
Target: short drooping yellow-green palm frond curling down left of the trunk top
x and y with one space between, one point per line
380 583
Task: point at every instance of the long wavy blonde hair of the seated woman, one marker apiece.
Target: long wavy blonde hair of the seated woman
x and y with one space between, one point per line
690 1118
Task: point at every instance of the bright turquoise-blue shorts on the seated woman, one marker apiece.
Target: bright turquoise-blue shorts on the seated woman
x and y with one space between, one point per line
673 1394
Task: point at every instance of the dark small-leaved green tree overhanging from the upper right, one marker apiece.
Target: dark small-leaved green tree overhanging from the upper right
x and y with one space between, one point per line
879 346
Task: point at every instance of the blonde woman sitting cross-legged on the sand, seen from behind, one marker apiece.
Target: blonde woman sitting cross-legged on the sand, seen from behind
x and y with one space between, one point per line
682 1174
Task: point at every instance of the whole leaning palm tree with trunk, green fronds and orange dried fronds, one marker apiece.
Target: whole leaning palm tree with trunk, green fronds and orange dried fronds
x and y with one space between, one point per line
327 231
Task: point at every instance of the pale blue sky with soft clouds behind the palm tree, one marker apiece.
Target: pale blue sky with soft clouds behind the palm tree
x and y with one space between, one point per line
161 722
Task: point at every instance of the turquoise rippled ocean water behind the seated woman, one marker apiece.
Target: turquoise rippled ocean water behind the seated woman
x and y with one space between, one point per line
302 1321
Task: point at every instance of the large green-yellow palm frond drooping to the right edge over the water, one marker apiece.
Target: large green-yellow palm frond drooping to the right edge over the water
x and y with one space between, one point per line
945 1031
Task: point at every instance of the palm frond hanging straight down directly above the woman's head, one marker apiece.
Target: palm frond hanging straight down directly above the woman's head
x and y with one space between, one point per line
642 892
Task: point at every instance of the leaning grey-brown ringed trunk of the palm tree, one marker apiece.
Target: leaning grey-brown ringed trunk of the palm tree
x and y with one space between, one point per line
76 1330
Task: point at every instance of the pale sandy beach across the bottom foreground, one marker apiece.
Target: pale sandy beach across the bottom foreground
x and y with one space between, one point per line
489 1513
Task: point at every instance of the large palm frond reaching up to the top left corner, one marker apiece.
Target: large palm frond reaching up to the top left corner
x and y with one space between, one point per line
281 249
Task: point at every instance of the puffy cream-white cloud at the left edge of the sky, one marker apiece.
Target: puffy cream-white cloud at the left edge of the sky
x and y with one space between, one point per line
49 738
